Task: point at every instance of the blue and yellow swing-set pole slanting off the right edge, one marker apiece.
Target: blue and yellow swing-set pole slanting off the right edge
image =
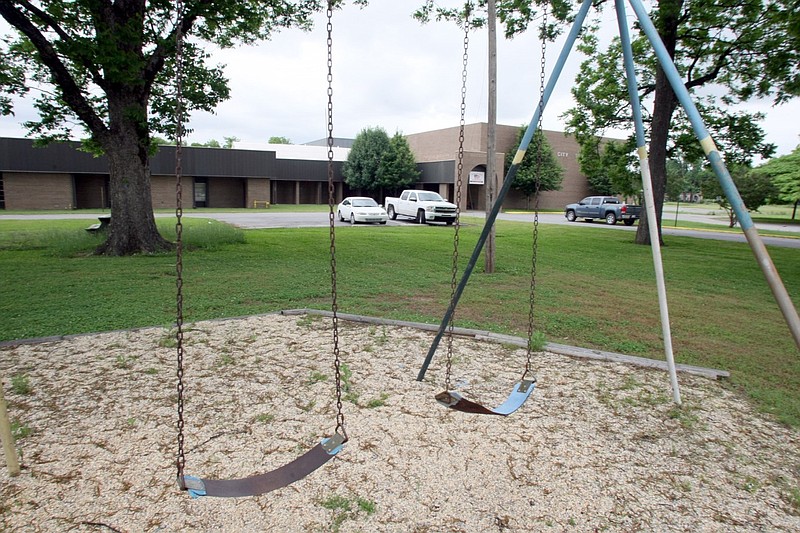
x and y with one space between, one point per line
751 233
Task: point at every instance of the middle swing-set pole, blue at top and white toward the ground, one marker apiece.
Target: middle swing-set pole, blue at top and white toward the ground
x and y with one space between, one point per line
647 183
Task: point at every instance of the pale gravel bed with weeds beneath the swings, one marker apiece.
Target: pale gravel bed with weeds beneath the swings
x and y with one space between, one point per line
598 446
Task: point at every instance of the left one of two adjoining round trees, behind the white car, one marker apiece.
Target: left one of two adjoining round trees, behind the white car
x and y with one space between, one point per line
362 170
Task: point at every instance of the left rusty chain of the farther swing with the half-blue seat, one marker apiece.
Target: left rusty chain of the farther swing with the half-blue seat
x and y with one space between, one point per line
459 179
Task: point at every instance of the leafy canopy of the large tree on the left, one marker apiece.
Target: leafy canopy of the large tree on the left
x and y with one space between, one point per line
82 54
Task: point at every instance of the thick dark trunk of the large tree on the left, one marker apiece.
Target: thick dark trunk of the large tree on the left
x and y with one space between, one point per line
133 226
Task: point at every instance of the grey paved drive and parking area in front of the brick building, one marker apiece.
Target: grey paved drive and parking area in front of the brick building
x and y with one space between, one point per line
262 219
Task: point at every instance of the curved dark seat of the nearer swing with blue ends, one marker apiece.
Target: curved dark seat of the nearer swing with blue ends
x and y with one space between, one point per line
263 483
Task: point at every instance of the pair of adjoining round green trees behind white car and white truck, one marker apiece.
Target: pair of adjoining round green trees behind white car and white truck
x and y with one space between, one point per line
377 162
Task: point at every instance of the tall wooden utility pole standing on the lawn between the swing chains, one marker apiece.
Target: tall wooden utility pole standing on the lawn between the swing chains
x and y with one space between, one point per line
490 180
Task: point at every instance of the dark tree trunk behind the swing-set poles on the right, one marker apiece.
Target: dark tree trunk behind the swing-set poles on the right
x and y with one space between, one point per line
664 104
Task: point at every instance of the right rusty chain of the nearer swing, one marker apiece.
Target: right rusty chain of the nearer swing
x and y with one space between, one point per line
331 221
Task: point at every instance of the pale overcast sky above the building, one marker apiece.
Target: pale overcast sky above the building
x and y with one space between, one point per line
393 72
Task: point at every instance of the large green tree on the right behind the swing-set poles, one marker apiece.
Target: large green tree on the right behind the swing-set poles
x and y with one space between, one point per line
745 48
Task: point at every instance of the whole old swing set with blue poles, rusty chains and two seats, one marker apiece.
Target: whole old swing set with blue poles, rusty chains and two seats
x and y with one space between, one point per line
521 391
